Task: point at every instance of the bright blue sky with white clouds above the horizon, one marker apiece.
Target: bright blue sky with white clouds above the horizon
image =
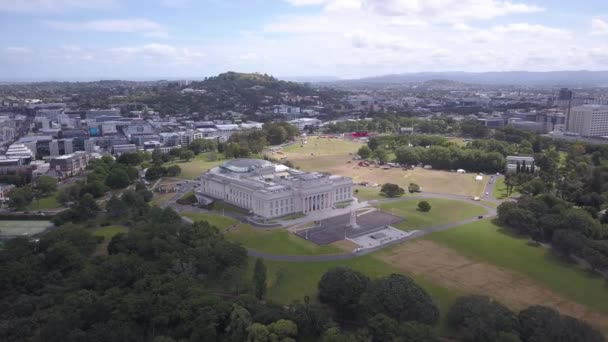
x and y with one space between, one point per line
190 39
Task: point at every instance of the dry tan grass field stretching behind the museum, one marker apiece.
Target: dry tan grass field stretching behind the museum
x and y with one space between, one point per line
332 155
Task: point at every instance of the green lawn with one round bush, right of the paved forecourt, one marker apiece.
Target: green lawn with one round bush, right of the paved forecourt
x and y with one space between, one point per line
442 211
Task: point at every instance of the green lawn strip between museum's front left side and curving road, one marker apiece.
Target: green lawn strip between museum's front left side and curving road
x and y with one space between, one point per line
277 241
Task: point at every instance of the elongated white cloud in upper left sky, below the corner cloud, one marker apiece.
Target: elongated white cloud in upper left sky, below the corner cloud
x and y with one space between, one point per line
134 25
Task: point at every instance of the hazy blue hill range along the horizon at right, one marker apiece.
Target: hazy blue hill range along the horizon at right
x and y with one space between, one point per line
550 78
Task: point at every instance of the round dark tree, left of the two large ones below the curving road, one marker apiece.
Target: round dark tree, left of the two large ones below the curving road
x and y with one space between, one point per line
343 288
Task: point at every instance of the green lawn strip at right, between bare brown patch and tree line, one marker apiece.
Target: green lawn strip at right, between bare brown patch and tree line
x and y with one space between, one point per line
485 241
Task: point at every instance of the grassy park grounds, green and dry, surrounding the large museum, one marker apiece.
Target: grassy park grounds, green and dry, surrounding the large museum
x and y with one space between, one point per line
454 249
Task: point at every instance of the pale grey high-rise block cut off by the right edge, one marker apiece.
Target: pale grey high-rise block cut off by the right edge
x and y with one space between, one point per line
589 120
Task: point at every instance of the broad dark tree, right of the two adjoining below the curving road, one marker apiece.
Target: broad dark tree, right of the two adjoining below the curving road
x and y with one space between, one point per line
400 298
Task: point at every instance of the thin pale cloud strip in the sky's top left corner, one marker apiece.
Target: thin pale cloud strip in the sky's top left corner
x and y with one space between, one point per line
37 6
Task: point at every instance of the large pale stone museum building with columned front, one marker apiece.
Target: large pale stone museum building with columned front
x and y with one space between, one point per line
270 190
